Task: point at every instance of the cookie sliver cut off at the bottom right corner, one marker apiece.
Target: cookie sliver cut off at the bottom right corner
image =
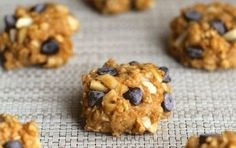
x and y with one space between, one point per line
226 140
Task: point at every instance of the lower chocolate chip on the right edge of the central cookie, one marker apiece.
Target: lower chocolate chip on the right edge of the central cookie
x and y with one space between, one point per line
168 102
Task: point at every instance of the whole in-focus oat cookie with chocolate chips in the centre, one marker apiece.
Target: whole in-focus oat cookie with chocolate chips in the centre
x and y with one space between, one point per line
127 98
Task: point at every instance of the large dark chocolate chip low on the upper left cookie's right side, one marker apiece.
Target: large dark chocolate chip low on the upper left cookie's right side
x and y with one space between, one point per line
50 47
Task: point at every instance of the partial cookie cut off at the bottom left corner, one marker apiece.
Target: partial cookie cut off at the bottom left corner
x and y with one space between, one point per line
14 134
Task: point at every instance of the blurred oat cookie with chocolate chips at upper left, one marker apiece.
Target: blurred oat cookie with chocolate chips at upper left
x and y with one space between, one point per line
39 35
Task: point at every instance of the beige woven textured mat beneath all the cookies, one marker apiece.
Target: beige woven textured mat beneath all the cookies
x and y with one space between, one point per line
204 102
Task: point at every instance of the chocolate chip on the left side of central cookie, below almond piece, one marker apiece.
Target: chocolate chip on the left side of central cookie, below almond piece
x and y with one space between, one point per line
94 97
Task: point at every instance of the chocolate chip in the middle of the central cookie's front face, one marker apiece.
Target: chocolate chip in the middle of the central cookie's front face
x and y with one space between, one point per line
134 95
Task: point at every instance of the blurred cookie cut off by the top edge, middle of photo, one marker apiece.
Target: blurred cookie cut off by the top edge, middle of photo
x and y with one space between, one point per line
119 6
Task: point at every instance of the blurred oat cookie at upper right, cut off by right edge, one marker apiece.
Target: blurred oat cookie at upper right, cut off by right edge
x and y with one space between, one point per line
204 36
